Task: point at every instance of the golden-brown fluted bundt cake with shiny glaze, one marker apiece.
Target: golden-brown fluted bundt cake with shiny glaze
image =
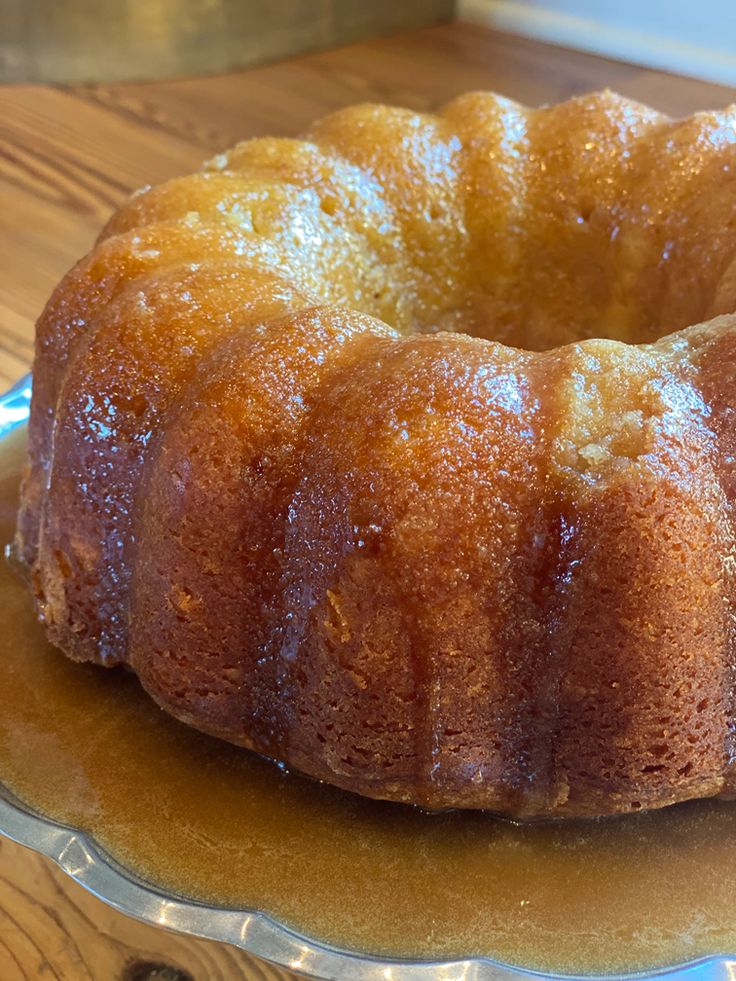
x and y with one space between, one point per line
393 453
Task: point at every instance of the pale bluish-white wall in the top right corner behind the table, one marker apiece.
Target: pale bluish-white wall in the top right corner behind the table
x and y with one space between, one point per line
697 37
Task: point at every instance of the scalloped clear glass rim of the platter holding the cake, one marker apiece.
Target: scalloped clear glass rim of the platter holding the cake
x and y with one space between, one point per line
81 857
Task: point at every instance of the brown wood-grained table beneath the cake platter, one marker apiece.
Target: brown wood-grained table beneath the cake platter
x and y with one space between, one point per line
67 158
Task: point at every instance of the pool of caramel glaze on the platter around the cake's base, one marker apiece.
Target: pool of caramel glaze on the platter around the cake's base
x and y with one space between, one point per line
206 819
